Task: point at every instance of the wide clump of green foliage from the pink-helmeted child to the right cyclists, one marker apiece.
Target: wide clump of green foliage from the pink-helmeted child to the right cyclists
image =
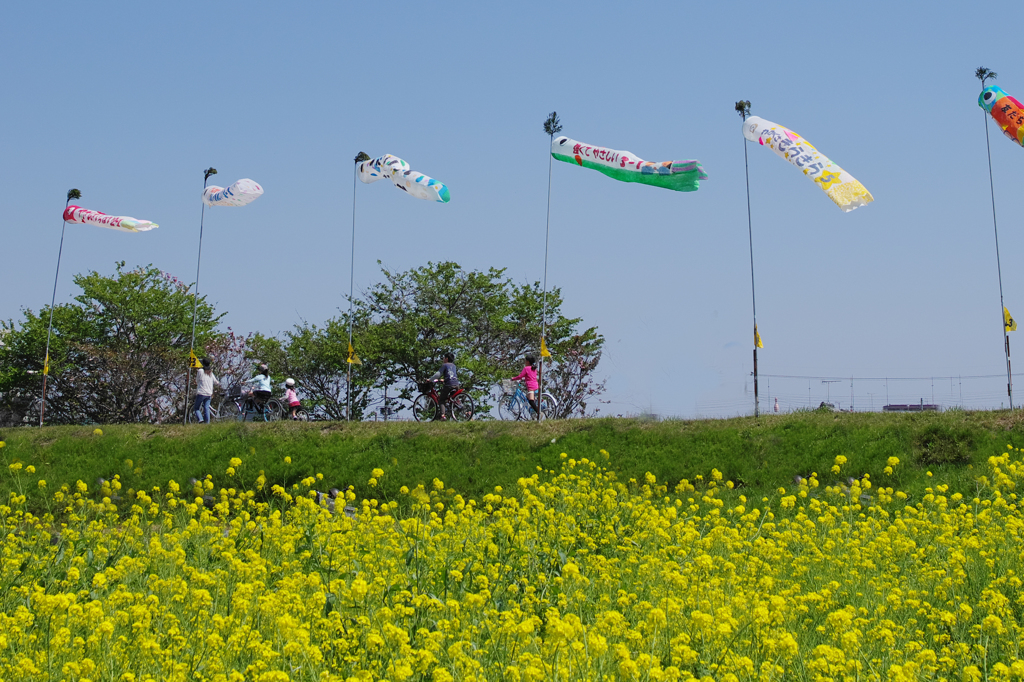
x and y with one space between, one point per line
404 326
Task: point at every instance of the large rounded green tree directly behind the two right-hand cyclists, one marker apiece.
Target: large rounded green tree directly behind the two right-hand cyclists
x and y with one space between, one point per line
411 320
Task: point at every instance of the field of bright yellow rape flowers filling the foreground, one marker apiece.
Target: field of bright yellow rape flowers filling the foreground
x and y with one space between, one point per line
575 576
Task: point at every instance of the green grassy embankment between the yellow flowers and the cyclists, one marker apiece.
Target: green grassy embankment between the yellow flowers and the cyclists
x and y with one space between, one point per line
758 455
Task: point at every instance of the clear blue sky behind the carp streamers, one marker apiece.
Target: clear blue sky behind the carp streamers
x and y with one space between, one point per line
131 102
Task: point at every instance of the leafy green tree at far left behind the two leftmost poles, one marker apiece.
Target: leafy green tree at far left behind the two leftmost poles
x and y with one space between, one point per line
119 354
